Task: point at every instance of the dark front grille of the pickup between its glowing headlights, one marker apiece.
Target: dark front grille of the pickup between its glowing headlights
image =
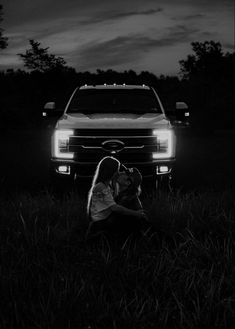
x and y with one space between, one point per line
137 144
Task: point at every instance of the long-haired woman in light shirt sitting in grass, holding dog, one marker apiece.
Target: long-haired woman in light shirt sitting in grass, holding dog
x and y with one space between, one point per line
103 211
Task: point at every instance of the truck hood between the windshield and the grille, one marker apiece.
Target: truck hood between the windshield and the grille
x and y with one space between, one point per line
112 120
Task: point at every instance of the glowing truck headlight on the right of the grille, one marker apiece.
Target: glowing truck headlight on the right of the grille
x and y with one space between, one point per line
165 144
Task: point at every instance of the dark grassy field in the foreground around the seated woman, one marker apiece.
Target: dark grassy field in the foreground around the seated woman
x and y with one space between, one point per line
178 275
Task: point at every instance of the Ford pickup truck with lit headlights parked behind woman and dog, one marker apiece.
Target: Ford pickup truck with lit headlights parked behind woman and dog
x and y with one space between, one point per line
124 121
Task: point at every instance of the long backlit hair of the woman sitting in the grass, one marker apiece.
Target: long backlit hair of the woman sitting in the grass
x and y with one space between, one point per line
104 172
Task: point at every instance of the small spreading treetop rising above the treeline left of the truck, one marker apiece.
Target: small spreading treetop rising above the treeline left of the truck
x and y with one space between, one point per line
38 59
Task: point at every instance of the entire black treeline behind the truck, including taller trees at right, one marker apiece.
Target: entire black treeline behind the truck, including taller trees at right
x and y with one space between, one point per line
206 84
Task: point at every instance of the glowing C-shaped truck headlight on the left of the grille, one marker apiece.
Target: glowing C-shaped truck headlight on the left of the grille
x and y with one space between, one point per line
60 144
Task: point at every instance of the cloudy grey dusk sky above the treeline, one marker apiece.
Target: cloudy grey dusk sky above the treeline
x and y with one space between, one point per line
139 35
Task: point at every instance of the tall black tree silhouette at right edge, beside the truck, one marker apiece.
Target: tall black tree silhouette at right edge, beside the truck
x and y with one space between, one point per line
208 74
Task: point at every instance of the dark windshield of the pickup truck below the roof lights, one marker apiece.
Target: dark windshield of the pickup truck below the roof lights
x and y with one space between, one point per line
139 101
